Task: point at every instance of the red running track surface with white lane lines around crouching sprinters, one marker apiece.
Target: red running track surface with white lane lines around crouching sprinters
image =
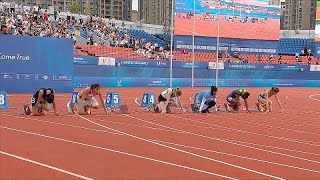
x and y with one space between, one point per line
142 145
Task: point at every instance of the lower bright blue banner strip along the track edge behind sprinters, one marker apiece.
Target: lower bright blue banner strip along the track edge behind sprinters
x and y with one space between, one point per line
186 82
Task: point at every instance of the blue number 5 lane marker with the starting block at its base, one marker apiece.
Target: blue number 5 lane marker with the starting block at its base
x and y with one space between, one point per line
113 103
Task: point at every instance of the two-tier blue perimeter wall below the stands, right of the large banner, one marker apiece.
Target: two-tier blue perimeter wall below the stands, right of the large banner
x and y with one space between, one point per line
152 73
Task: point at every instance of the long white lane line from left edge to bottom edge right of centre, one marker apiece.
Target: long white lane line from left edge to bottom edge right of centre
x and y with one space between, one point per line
116 151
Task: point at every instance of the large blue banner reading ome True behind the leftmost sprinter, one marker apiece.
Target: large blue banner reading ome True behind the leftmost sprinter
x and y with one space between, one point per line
30 63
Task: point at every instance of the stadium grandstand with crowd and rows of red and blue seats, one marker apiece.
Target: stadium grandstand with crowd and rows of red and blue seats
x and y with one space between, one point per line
94 36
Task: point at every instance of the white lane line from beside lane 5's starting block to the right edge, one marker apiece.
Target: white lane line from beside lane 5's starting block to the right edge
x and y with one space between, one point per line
223 140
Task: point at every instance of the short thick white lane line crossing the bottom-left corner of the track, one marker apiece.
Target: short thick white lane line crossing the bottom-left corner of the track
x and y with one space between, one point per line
45 165
